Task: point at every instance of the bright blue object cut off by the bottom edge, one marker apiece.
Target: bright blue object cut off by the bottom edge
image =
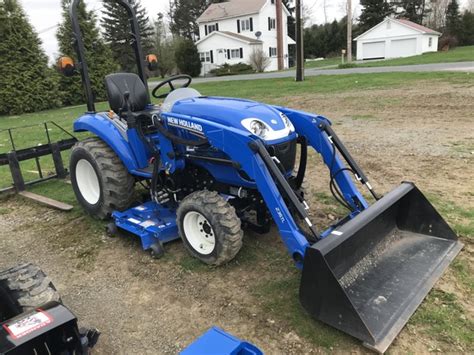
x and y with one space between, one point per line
218 342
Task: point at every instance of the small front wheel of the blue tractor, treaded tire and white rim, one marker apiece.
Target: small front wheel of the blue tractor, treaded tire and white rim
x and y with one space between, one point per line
209 227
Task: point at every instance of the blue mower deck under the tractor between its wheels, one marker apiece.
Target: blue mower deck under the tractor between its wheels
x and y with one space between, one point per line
151 222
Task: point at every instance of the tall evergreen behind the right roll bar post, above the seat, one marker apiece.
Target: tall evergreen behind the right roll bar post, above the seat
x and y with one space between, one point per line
117 32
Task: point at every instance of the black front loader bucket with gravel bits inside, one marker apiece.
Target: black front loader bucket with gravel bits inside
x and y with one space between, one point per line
370 275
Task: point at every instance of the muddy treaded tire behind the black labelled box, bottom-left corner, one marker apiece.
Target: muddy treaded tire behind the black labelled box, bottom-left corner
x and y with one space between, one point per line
24 288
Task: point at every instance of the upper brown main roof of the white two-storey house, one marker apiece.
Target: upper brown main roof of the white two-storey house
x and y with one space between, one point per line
231 8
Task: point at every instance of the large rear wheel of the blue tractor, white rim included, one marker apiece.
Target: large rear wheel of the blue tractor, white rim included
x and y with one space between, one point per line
99 179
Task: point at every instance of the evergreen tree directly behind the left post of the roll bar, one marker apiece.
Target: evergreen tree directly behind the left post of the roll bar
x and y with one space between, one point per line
98 55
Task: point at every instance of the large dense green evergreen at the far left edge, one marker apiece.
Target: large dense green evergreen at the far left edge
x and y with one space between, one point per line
26 82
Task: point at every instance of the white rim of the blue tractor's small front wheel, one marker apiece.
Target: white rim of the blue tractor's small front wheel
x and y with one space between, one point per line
199 233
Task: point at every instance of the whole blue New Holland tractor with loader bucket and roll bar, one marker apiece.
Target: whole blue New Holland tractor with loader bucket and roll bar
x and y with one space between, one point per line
215 165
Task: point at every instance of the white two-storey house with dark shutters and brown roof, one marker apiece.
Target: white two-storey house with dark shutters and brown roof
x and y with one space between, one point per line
230 31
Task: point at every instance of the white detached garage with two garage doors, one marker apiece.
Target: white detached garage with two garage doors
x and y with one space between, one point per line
395 38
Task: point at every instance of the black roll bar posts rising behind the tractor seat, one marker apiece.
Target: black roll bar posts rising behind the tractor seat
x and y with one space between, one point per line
80 49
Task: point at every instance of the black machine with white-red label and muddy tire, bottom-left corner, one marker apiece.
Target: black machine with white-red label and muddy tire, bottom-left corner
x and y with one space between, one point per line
34 321
